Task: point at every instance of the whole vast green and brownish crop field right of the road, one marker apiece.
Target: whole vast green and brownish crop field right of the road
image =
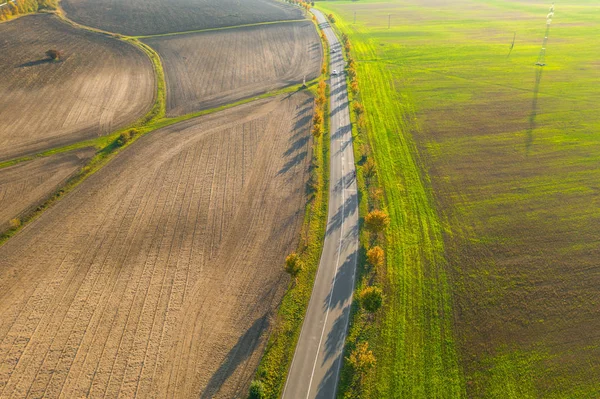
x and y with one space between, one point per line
489 166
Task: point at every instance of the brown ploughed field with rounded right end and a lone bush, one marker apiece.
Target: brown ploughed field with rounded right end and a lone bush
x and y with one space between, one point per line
99 85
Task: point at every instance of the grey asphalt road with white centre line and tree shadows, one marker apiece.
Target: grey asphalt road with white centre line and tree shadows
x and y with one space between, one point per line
316 365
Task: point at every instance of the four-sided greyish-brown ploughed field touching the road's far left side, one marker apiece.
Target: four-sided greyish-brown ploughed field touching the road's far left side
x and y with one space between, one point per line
249 61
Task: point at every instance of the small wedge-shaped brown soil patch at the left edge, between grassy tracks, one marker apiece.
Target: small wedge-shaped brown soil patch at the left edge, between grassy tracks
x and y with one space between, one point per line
26 185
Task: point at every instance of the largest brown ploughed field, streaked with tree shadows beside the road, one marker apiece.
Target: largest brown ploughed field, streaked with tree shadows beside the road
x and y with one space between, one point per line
158 275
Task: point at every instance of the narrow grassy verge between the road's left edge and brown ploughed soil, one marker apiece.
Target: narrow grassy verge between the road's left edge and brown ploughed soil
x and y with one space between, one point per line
279 351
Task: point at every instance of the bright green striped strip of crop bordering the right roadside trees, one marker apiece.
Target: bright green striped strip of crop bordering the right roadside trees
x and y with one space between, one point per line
414 344
